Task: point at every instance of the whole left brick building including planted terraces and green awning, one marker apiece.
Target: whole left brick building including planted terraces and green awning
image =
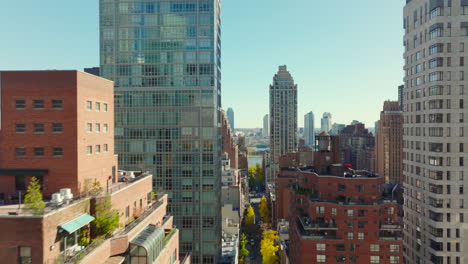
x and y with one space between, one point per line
58 127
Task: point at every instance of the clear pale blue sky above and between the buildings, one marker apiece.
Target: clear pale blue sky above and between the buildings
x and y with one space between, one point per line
346 56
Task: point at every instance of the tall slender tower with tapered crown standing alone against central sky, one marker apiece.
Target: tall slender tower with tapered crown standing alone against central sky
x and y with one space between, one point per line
283 115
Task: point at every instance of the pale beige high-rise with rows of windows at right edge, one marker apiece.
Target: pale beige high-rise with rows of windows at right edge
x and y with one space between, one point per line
434 131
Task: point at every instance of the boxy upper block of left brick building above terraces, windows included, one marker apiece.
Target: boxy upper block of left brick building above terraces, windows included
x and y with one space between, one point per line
57 126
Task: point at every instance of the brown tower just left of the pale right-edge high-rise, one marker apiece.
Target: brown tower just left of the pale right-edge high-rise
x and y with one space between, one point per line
389 143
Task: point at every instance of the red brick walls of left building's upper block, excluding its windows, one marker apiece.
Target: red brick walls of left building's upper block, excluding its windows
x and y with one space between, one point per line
74 88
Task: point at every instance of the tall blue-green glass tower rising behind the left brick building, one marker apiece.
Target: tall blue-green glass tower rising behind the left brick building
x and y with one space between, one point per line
164 57
